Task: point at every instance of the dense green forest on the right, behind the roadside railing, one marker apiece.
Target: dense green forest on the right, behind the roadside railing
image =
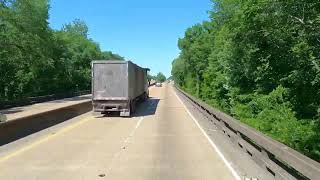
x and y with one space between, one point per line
258 61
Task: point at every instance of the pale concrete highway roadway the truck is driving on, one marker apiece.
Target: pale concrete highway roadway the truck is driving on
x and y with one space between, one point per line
162 140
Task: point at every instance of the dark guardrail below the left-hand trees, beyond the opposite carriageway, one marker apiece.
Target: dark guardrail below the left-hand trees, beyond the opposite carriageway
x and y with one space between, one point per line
39 99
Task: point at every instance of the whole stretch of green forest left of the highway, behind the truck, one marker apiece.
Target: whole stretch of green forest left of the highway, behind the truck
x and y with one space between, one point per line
38 60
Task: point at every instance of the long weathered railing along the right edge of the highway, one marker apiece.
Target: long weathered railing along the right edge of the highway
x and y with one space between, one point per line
280 160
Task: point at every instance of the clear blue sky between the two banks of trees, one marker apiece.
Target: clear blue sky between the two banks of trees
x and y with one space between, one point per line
144 31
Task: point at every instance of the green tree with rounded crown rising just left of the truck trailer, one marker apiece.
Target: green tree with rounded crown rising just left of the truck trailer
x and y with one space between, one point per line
80 52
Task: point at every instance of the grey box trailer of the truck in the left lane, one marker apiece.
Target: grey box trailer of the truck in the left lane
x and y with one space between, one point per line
117 86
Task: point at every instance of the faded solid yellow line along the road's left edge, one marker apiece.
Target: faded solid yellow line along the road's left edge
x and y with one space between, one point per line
47 138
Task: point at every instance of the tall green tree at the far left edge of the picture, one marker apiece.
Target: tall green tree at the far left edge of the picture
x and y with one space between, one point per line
24 30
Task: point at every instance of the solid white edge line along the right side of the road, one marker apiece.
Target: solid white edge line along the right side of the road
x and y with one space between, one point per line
228 164
